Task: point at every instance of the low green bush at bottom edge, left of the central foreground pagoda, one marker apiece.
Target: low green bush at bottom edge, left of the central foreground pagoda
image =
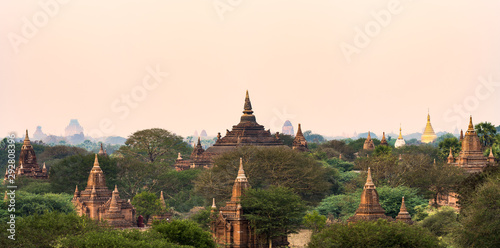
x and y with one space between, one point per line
185 232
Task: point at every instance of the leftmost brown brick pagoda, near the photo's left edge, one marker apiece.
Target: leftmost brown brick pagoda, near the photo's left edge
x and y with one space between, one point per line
28 165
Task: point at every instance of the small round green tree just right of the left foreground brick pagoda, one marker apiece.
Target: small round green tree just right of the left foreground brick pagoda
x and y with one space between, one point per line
147 204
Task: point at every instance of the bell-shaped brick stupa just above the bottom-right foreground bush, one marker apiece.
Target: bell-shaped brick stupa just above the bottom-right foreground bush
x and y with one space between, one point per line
369 209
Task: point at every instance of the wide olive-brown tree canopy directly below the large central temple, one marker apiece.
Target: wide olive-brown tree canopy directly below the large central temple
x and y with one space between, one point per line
279 166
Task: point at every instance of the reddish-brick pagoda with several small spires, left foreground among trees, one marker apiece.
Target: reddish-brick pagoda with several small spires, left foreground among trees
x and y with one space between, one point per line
99 203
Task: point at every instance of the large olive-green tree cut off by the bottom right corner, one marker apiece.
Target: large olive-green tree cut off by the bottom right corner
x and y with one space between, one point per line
479 218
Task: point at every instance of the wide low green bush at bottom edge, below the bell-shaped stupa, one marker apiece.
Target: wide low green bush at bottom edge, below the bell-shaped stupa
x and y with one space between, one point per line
380 233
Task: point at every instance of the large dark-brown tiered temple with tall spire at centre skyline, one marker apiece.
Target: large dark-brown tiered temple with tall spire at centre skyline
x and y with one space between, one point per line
247 132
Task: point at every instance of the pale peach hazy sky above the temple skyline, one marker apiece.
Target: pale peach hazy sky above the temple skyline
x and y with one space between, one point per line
336 67
